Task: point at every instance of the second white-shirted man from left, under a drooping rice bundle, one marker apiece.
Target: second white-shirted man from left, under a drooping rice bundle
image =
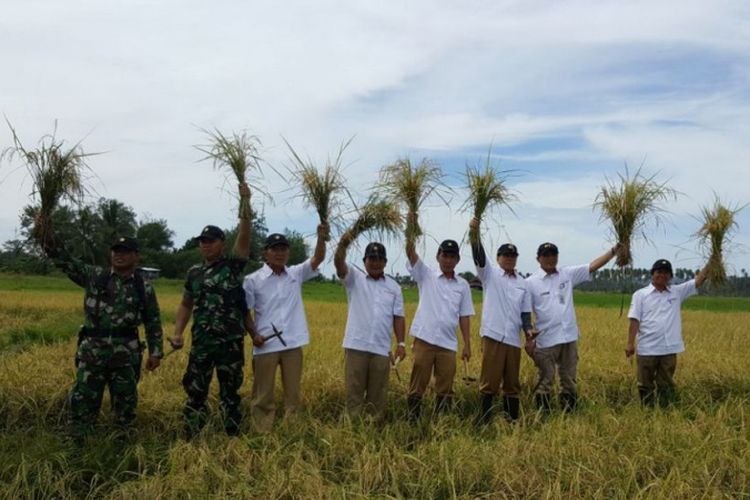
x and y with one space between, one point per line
376 306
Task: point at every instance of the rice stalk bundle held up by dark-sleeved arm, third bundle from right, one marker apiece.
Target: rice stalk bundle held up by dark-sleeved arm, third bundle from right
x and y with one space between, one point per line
487 189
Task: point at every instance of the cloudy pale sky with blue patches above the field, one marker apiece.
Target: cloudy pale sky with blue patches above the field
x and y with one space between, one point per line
566 92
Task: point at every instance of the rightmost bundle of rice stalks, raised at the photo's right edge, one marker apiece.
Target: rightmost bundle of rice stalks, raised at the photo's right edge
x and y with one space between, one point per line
718 224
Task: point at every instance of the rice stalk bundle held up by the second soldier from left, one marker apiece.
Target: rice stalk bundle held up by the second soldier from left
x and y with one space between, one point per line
239 154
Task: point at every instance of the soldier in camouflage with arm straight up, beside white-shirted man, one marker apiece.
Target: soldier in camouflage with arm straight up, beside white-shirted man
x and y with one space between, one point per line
214 296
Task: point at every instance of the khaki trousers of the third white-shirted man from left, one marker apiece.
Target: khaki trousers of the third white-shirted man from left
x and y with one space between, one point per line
429 358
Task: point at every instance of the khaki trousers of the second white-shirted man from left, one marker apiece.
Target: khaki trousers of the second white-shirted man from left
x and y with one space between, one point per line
366 381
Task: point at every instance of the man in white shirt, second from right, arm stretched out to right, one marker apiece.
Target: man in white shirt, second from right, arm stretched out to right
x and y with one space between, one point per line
555 349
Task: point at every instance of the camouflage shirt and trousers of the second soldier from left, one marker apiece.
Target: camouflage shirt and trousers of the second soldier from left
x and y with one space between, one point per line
218 340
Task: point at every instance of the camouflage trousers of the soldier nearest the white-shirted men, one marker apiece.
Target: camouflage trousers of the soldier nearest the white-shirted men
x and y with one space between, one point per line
228 359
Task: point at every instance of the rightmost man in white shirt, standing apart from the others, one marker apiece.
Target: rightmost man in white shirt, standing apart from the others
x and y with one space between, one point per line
655 318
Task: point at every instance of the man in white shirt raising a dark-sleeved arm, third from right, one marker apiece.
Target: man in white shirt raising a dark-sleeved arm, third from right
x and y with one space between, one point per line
506 308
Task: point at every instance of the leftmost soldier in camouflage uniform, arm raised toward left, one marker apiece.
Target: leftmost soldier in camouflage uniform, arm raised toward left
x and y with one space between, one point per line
109 352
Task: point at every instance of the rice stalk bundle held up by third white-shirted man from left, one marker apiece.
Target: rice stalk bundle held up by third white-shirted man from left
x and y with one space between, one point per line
412 185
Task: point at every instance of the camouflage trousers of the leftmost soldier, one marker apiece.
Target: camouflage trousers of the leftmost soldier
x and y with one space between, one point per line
114 363
